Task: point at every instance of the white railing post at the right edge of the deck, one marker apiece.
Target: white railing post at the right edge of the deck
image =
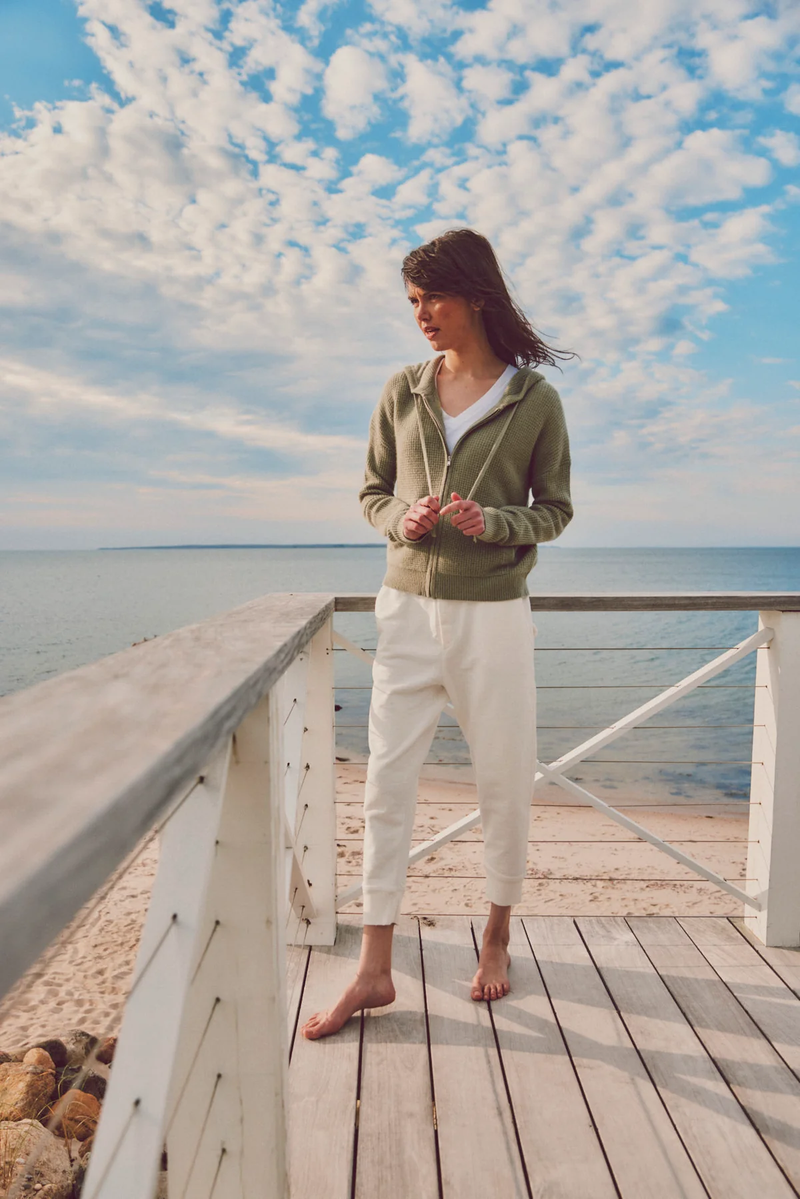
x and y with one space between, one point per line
774 849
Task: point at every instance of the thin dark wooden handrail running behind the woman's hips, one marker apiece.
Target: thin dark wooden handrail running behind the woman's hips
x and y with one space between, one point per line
633 601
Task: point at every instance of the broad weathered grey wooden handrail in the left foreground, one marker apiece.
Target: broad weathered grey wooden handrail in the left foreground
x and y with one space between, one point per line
91 760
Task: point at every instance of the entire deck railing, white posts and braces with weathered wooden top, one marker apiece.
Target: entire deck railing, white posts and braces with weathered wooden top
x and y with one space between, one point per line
221 738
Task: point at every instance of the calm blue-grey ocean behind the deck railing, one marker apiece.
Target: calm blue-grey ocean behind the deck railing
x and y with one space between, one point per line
63 610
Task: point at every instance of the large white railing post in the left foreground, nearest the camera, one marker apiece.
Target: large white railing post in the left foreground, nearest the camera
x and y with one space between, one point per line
203 1050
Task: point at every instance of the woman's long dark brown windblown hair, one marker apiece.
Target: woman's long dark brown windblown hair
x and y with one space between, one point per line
462 263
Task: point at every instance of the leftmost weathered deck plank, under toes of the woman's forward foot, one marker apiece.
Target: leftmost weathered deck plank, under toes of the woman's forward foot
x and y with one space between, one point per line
323 1080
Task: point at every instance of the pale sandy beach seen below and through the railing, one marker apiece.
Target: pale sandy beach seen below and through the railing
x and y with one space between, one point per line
580 864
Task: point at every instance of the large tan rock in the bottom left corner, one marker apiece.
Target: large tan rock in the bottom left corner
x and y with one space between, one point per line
35 1160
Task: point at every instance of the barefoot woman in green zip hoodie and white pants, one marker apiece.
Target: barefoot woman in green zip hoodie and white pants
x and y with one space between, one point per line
456 447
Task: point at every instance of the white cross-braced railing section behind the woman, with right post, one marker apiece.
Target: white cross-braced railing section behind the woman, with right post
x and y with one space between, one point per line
775 784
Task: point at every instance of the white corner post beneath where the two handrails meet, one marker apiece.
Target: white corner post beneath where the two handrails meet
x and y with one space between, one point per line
316 817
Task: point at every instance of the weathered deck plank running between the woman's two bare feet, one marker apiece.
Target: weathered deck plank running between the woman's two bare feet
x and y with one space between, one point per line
477 1138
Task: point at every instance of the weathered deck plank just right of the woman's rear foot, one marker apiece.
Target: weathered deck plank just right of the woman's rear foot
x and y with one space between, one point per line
560 1142
